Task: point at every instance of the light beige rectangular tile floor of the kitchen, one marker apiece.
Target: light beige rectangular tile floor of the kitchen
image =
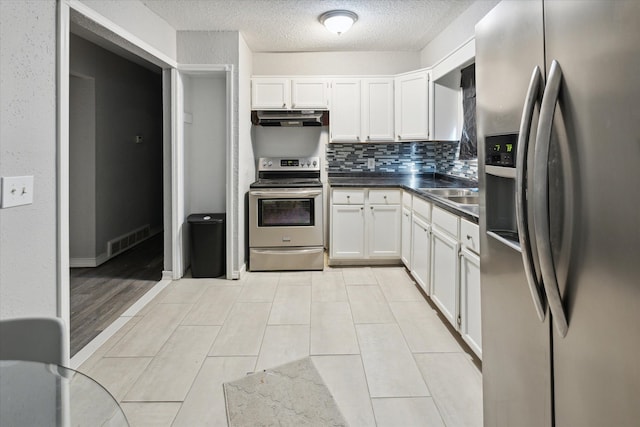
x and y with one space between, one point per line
381 349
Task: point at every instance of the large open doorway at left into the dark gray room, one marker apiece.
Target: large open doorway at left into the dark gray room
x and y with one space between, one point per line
116 220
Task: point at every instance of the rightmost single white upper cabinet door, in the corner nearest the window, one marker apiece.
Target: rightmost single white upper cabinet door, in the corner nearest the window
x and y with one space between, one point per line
412 106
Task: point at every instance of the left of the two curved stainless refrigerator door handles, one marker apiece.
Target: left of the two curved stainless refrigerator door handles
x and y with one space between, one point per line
534 95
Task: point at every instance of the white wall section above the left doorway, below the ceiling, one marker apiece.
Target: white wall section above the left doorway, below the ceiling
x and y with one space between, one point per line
137 19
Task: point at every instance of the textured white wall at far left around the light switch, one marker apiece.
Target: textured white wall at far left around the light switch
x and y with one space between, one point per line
28 261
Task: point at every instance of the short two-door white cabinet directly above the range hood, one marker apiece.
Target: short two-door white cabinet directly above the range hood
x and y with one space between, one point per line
279 93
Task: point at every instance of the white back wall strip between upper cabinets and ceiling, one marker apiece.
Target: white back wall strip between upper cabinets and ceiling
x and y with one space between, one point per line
335 63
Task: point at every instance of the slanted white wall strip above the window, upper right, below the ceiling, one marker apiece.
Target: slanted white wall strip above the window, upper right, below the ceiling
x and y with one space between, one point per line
459 31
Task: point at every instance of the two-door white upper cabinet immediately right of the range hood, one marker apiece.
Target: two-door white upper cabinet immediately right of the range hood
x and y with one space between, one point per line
362 110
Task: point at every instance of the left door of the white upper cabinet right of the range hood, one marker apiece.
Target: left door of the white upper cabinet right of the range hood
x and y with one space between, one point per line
345 110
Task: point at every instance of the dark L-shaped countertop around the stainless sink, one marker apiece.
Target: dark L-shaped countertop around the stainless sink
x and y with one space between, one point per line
412 183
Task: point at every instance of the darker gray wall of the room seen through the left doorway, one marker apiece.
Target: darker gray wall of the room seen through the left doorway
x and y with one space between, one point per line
128 176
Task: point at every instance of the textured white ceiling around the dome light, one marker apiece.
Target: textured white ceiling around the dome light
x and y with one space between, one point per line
292 25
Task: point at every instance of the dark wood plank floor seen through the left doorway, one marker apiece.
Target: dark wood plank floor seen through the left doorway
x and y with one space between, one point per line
101 294
